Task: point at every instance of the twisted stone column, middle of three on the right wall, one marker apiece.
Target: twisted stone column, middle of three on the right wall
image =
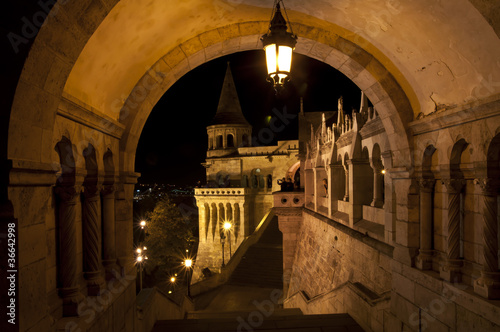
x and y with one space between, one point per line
451 269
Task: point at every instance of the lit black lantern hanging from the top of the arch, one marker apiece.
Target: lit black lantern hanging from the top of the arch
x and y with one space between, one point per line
278 45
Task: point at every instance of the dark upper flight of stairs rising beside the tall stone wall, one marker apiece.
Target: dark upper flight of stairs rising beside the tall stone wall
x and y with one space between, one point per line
262 264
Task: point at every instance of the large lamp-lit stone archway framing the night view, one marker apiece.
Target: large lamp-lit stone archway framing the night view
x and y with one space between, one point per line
58 96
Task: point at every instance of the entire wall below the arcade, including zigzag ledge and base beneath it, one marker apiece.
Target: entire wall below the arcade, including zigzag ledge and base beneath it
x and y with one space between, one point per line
339 270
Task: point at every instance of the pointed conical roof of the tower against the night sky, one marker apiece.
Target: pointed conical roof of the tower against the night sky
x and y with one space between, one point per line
229 109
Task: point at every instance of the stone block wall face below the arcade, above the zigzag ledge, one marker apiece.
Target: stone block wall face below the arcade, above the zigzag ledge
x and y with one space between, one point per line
340 255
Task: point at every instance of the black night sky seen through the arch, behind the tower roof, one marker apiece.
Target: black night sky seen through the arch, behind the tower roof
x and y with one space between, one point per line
173 143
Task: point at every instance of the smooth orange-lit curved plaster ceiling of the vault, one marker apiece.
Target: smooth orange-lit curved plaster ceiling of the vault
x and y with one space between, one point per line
441 53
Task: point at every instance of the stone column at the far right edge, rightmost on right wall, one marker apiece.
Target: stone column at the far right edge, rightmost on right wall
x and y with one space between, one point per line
488 285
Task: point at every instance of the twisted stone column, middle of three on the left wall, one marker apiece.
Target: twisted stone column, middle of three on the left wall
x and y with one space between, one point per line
91 222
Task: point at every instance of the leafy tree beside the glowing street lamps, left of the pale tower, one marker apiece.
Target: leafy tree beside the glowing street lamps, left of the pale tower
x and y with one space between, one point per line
170 232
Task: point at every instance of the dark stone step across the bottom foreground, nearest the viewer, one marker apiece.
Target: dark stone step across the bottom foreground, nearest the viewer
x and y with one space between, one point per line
257 321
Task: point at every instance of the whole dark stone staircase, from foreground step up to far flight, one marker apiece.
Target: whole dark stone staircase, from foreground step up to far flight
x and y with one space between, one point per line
250 300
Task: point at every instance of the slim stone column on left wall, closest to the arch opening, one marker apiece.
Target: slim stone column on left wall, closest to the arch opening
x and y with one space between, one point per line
108 231
